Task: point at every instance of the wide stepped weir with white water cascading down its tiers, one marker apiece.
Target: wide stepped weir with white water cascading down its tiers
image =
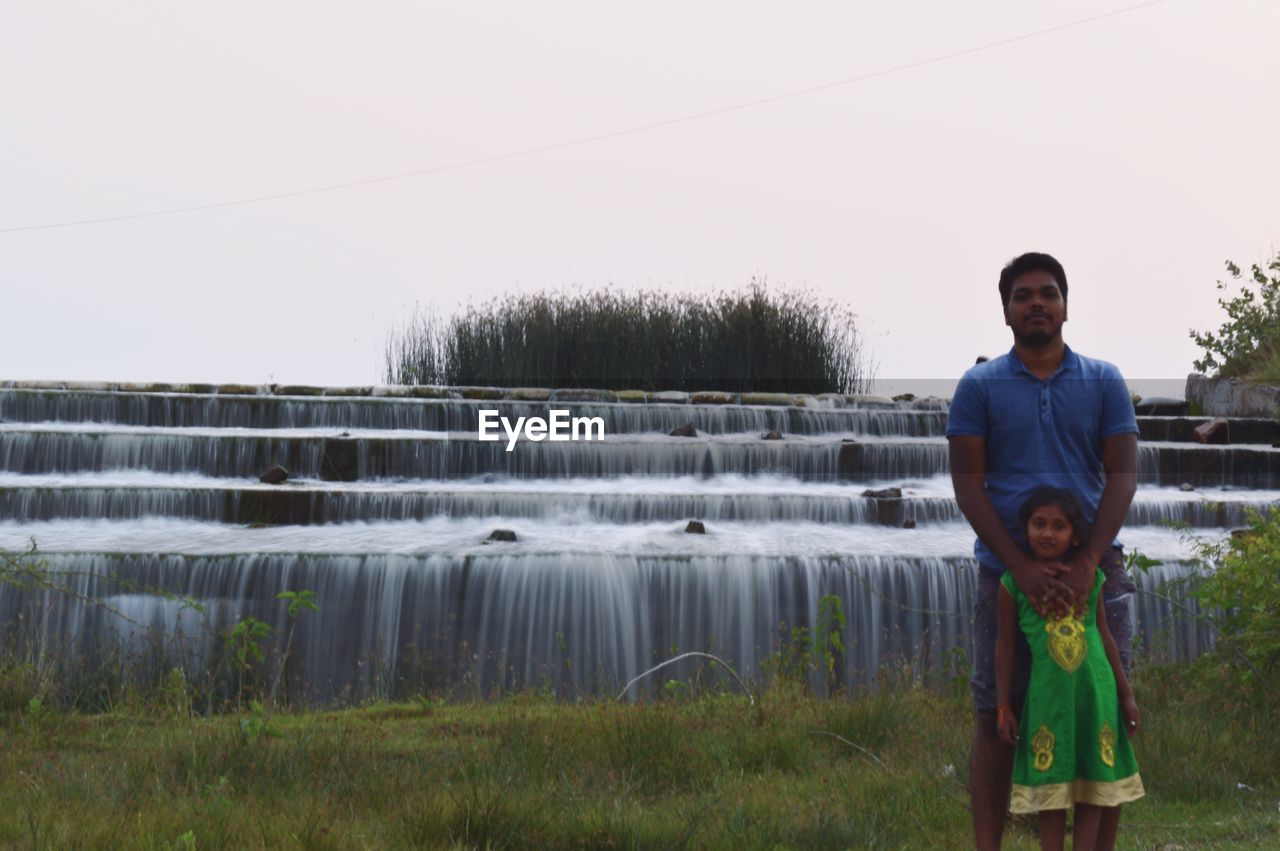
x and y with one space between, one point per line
145 505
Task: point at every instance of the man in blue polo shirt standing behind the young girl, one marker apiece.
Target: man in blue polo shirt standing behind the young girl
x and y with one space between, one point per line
1040 415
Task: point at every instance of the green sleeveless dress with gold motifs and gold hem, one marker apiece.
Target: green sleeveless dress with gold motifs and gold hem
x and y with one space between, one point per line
1072 743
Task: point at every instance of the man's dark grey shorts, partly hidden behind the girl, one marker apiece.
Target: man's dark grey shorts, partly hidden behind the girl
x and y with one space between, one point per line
1117 600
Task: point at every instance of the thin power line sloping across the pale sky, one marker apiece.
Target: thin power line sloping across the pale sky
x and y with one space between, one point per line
598 138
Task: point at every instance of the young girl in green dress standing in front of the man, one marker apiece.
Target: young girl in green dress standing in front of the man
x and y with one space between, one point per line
1073 742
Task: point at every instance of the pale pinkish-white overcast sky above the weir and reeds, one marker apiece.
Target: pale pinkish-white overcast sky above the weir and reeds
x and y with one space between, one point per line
1140 149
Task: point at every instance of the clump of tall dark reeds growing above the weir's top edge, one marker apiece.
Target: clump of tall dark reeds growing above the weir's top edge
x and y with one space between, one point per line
753 340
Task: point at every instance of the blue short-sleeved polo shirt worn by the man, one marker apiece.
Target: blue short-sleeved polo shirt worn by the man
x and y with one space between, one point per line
1041 433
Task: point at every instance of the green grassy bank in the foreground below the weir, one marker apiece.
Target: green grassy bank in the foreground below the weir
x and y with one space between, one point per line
880 770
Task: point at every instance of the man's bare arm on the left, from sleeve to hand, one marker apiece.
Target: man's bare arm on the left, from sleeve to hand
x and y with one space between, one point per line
1037 580
